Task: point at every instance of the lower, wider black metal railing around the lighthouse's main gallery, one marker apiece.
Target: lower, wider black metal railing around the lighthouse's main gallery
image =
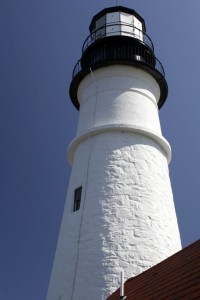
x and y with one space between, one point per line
122 54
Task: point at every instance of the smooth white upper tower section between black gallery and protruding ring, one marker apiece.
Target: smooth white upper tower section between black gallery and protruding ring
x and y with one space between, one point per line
118 95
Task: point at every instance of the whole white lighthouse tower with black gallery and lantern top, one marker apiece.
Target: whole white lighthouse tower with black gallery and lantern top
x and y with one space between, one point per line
119 212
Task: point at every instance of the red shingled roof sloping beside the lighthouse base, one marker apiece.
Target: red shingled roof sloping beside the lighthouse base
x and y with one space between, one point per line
177 277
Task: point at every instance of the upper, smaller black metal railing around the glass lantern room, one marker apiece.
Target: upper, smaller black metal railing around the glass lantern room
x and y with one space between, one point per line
118 29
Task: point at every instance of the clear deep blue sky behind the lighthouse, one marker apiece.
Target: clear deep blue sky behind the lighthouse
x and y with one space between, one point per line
41 41
